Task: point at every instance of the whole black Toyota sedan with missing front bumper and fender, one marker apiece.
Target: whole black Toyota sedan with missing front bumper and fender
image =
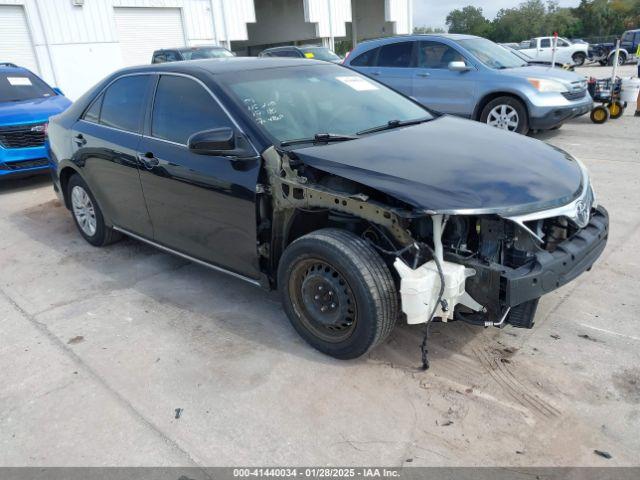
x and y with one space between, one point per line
358 204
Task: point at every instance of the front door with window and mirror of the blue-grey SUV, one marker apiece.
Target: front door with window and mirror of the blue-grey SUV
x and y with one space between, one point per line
438 87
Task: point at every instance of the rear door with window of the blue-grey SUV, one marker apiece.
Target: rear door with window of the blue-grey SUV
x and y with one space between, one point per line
394 66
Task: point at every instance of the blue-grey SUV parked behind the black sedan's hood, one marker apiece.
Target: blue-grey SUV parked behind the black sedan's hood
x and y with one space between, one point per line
474 78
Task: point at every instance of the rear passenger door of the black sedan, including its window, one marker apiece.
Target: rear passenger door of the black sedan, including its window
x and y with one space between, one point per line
106 141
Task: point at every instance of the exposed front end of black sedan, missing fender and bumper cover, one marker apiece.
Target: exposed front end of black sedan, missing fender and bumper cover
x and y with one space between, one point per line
481 268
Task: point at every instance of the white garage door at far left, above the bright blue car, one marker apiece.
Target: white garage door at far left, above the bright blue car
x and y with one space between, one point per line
15 41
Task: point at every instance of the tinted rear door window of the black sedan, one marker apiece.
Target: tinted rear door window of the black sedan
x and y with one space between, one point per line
124 103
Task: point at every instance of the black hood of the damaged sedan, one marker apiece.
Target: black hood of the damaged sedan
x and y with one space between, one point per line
451 165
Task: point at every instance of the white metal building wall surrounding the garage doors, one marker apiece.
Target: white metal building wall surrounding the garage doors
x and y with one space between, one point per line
77 46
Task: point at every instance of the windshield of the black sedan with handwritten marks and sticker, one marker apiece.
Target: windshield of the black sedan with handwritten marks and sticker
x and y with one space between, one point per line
295 103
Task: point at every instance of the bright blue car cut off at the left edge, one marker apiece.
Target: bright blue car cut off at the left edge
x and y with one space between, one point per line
26 103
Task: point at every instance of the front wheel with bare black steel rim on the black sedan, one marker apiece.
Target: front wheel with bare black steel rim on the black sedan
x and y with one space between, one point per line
338 293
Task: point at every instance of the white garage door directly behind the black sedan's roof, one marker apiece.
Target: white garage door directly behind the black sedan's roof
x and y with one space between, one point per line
143 30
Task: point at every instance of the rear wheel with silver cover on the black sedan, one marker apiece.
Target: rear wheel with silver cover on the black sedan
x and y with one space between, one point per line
87 214
